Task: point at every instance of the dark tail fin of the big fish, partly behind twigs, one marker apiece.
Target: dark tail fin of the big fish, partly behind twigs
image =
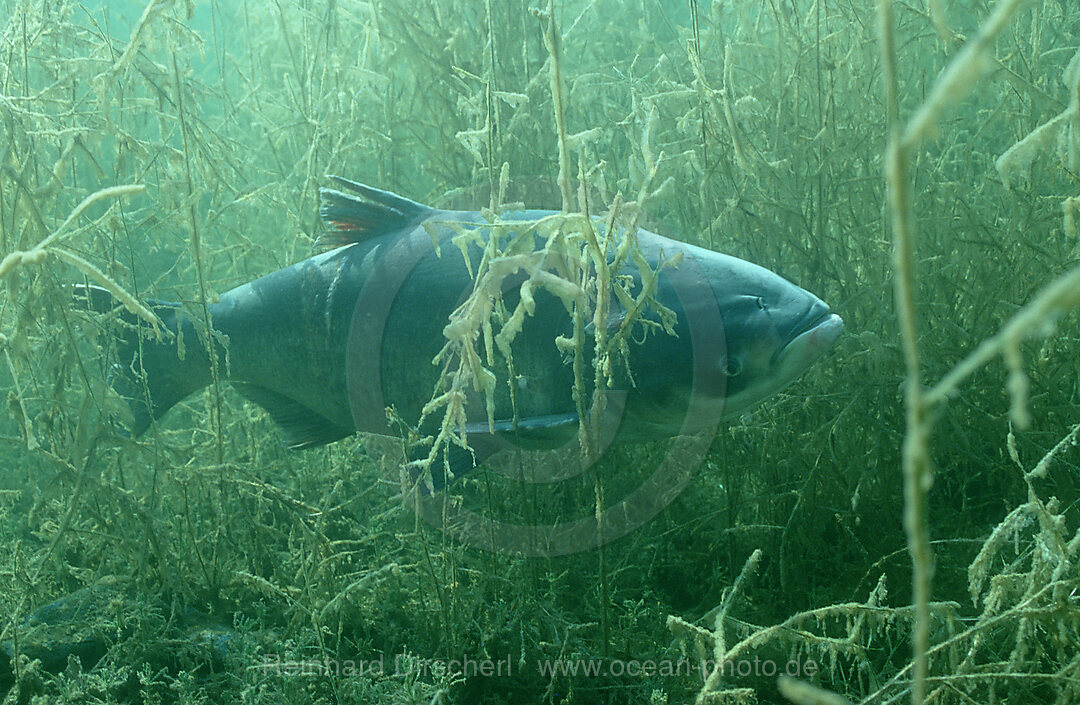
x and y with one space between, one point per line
151 375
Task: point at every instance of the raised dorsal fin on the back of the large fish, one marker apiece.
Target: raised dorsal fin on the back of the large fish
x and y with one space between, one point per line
352 220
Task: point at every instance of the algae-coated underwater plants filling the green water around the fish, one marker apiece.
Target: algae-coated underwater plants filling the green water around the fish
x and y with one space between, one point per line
904 519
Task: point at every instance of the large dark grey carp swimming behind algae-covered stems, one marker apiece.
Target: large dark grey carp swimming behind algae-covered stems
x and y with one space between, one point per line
330 344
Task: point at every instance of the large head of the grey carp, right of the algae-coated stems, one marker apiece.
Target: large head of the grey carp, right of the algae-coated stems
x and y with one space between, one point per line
745 334
